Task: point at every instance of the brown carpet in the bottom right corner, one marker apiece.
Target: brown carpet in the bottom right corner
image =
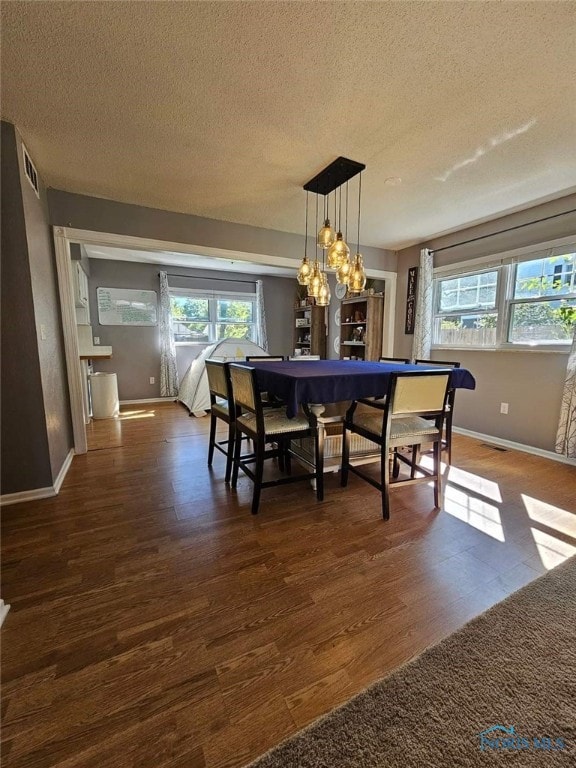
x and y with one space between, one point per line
514 666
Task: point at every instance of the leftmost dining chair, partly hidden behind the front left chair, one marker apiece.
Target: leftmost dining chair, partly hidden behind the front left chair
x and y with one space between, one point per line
221 407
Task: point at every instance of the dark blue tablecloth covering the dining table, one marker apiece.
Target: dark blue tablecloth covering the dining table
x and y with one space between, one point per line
332 381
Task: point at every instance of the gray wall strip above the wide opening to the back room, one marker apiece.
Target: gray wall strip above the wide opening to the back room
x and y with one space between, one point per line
92 213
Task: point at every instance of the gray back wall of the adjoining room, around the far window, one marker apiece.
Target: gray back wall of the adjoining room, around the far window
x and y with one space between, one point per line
136 349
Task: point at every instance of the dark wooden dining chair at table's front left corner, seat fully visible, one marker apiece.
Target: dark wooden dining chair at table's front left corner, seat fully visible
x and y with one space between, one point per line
270 427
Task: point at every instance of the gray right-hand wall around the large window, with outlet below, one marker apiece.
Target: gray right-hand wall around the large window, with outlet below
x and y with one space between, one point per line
531 382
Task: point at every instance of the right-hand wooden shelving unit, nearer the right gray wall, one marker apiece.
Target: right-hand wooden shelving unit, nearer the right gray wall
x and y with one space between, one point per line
361 327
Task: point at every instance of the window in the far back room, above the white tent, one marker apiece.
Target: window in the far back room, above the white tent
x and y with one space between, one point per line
200 317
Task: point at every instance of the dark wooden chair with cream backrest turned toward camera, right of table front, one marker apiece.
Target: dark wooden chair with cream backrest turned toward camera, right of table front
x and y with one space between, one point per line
412 414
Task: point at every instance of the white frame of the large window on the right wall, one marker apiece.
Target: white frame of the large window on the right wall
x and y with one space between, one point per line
506 269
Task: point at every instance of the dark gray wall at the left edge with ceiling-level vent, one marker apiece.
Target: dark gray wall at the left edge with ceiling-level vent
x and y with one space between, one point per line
36 425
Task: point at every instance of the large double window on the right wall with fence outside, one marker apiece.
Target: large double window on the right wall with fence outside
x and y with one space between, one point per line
530 302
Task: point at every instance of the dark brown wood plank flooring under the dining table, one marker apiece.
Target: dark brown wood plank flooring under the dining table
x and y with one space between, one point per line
155 622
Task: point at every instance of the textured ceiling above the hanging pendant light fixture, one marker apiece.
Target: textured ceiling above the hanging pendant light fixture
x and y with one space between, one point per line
225 109
